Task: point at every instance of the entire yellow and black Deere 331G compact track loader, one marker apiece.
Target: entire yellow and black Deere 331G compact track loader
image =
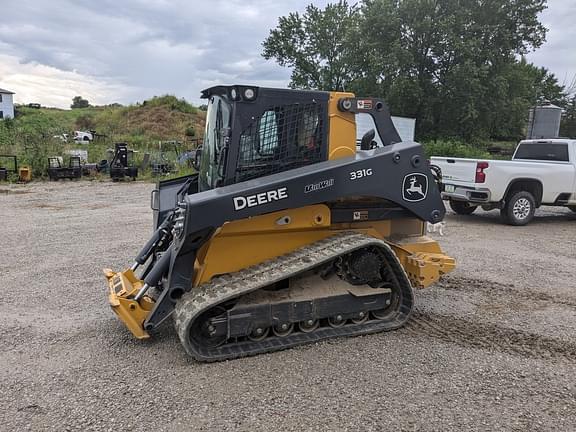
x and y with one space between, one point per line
290 233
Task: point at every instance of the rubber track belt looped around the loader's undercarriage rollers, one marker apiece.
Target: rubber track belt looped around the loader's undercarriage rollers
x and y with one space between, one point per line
230 286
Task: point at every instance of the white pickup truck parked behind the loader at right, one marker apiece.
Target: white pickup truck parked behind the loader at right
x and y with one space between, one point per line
541 172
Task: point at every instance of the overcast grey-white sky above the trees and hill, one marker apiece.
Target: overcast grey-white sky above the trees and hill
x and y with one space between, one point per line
129 50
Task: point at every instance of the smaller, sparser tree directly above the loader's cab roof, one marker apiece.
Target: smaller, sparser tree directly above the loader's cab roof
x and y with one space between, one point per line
317 45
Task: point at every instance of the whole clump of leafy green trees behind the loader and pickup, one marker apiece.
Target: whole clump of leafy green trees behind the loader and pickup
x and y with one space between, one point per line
454 65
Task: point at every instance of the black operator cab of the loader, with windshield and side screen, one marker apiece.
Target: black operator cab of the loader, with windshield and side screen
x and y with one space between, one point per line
253 132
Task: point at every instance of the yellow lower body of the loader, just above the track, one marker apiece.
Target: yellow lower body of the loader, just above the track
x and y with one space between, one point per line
247 242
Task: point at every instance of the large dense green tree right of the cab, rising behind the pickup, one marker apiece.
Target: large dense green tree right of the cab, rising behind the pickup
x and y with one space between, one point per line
447 57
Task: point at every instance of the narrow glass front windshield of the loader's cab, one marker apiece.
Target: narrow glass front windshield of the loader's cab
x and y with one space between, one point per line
213 155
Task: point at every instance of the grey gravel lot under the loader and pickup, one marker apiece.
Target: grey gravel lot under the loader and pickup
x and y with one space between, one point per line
492 347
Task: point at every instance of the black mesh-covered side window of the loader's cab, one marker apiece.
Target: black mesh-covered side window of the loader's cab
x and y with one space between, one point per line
282 138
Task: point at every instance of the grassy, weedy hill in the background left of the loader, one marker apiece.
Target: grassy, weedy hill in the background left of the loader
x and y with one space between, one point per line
30 136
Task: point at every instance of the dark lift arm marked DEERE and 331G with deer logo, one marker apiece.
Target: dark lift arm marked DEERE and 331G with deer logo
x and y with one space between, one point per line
397 173
